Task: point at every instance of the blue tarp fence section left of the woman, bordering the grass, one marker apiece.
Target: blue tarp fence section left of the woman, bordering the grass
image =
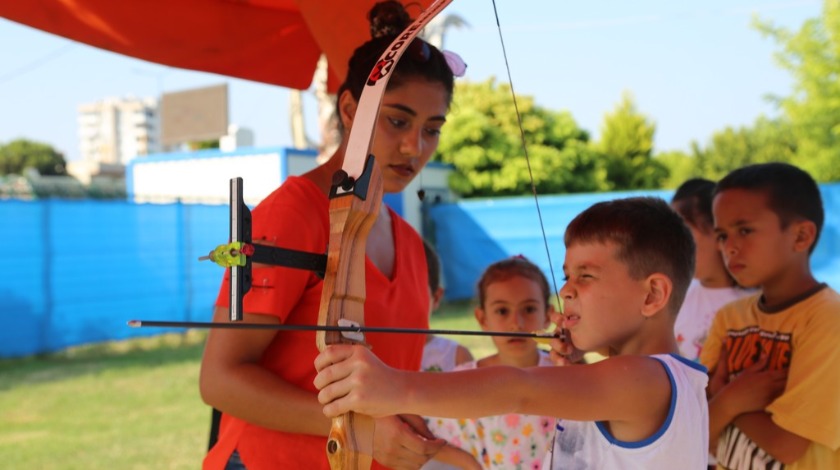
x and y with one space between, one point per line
76 272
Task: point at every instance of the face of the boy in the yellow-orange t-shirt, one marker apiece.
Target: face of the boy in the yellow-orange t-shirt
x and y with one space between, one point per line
756 249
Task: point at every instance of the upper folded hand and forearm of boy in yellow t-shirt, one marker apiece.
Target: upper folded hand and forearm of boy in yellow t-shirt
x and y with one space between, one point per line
754 388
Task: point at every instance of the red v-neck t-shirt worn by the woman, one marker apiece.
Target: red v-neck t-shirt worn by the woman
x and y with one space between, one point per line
296 216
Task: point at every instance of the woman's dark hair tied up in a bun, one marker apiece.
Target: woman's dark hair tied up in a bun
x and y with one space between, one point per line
420 59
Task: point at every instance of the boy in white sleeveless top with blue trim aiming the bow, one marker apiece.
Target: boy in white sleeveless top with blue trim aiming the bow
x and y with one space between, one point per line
628 264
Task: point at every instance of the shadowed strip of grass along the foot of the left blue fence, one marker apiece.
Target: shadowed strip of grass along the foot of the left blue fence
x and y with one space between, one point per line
138 353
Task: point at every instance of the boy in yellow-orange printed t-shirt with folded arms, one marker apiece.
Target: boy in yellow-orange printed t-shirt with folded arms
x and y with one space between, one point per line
768 219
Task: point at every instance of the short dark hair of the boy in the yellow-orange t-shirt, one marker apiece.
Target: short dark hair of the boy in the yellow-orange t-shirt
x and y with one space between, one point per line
791 192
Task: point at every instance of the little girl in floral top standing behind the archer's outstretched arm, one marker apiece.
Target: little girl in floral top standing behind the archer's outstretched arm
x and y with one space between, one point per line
513 296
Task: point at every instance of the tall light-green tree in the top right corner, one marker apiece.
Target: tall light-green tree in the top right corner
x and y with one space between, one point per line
812 55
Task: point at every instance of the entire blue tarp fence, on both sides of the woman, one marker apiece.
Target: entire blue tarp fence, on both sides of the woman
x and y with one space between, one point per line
75 272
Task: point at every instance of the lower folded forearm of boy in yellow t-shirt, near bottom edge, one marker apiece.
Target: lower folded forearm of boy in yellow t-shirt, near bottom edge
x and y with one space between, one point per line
784 446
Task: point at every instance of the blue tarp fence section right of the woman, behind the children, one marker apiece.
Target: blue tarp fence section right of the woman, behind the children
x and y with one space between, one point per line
469 235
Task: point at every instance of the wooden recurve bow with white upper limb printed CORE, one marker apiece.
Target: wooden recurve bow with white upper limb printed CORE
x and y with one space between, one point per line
355 200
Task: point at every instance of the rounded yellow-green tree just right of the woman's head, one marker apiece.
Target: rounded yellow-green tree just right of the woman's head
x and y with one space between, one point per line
483 141
